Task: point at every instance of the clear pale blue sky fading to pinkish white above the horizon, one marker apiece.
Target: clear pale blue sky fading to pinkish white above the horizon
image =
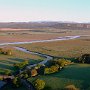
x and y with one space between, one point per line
44 10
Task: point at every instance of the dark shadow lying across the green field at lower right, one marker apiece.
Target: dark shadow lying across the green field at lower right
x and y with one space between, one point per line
74 72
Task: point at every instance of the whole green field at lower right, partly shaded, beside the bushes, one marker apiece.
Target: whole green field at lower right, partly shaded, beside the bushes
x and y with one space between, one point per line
77 74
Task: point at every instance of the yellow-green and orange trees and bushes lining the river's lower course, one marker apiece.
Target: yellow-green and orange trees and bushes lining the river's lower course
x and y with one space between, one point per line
39 69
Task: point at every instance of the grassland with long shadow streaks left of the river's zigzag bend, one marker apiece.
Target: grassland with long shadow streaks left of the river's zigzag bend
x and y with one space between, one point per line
7 61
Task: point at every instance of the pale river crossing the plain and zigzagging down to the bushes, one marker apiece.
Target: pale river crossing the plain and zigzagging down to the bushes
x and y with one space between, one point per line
47 57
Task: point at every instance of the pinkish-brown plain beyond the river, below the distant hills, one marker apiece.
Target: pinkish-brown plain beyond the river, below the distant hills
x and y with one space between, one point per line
21 36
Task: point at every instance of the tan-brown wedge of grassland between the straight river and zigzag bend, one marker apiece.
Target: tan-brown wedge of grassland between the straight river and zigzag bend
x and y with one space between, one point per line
67 48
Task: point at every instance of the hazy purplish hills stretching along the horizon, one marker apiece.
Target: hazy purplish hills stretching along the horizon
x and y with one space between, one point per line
40 25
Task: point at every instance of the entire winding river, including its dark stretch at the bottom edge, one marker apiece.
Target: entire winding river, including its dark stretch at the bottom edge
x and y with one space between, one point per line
47 57
